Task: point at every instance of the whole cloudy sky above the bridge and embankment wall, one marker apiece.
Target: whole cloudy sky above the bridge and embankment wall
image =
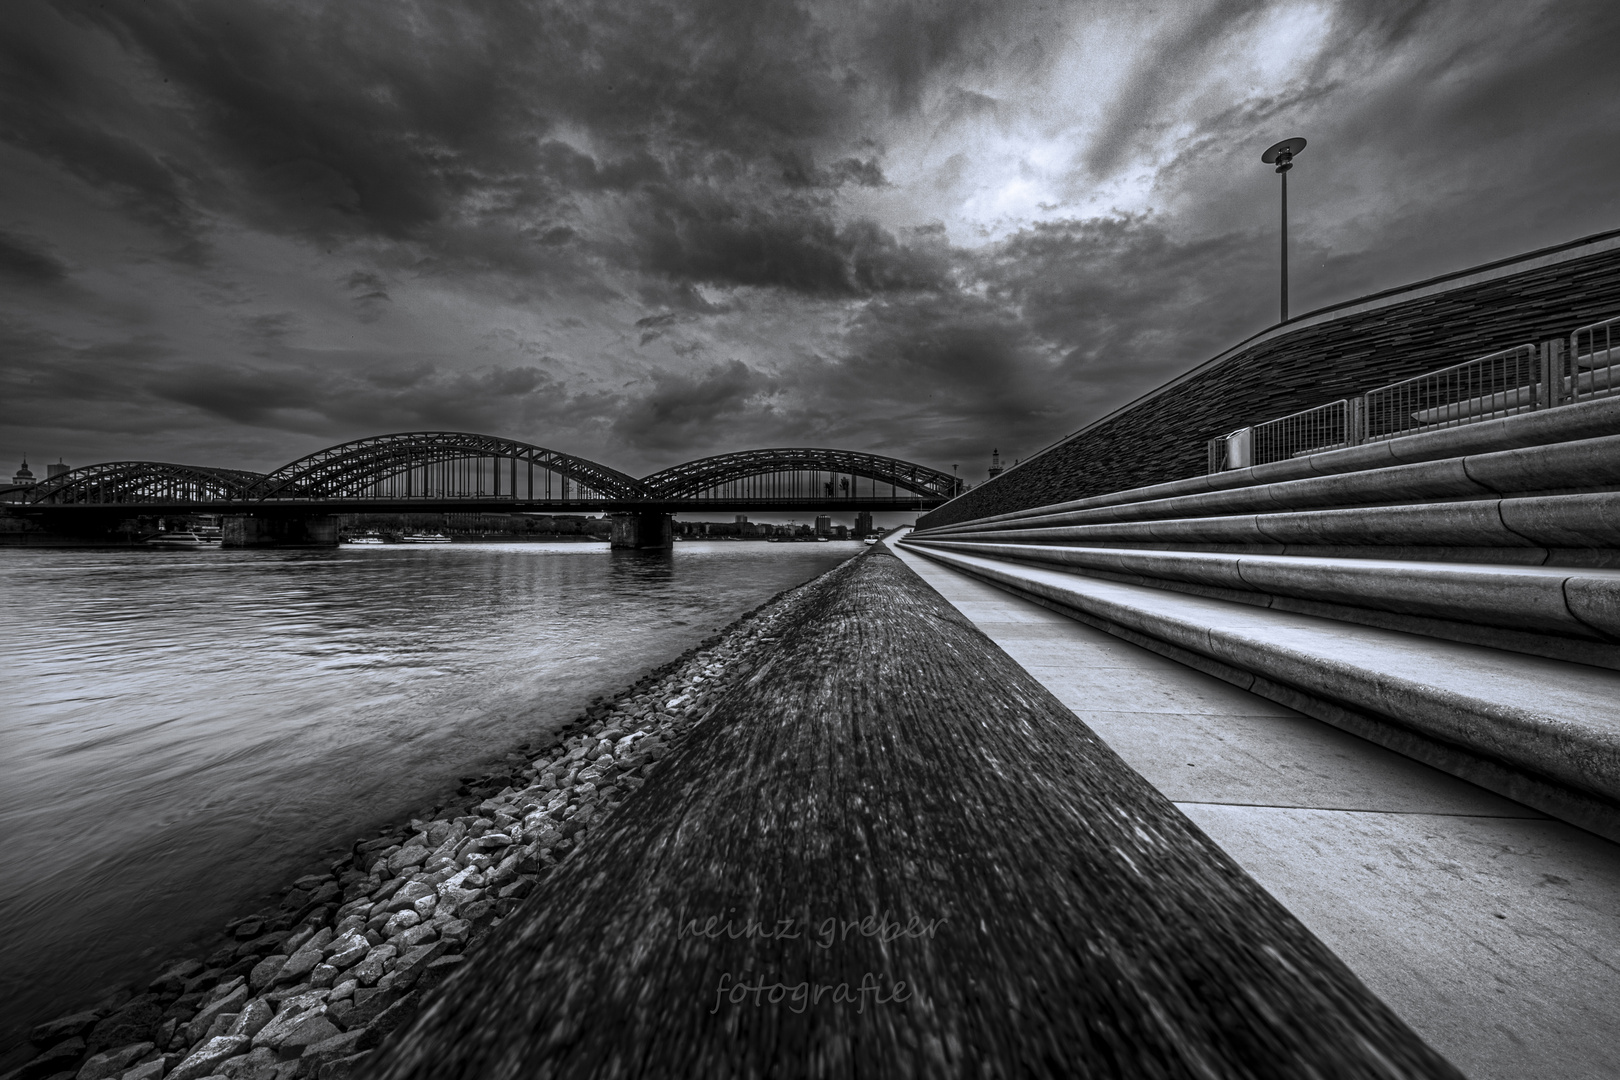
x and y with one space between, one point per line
234 232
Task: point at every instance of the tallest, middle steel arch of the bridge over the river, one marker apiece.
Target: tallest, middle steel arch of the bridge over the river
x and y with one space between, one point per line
446 464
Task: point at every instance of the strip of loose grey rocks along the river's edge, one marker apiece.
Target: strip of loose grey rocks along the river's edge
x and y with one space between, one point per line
312 987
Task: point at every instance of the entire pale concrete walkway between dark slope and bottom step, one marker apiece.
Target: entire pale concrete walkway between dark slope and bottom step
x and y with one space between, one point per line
1493 930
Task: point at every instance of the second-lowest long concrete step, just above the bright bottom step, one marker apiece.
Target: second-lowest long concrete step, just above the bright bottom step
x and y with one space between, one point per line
1543 611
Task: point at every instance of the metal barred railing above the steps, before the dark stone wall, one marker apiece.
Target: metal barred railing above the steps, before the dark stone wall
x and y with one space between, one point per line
1498 385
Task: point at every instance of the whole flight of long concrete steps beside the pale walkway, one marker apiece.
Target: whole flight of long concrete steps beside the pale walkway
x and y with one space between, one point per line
1452 595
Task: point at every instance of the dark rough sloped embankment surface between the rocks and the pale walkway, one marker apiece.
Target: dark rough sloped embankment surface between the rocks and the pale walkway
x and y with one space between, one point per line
887 760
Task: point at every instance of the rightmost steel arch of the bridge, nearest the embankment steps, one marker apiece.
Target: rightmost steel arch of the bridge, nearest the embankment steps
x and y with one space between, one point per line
715 475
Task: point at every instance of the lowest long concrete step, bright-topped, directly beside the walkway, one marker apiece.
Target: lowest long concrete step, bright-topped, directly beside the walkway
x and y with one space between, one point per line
1540 731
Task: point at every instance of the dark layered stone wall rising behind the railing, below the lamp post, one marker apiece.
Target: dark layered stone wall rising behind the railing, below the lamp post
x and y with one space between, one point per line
1373 342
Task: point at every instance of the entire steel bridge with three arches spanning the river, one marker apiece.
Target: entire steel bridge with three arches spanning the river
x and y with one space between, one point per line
451 470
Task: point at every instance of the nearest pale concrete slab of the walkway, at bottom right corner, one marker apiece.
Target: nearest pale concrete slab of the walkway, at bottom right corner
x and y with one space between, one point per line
1494 938
